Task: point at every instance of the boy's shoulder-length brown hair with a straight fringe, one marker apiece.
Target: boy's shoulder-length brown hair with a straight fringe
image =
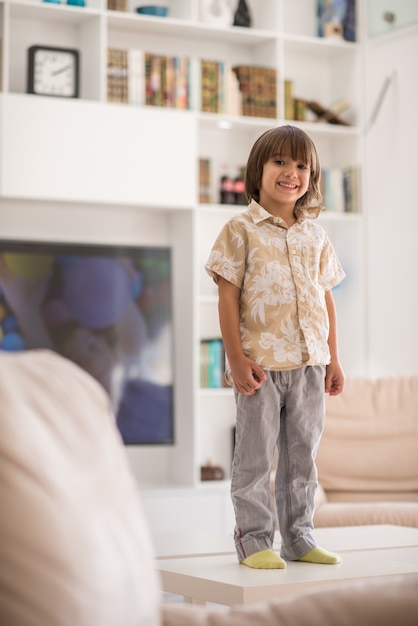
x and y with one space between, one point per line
285 140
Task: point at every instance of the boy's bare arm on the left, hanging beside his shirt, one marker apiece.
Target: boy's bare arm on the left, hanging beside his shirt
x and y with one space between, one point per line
247 375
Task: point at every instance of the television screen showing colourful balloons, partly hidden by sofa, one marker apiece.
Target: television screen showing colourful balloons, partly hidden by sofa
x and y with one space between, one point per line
106 308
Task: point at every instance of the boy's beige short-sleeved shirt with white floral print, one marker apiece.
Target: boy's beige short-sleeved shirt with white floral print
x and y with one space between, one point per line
283 273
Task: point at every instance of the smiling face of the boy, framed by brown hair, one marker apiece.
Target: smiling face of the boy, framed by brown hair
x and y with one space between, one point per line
284 181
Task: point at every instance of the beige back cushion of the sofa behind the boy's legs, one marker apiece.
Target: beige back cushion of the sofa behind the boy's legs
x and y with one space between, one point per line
370 439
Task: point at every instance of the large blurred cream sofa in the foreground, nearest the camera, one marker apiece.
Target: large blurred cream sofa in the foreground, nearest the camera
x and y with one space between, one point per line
74 547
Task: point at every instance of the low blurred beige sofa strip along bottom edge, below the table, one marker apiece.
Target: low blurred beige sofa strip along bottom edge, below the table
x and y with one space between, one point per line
382 602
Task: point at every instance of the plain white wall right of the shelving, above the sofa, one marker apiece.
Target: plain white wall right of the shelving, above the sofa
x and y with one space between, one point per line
392 208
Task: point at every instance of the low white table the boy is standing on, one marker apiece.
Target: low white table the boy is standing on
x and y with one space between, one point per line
367 551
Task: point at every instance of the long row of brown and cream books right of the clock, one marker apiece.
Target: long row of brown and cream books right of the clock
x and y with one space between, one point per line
138 77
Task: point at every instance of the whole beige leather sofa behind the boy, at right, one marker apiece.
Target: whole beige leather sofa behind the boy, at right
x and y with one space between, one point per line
368 456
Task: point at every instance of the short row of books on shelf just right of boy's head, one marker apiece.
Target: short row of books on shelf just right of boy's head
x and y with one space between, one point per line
340 189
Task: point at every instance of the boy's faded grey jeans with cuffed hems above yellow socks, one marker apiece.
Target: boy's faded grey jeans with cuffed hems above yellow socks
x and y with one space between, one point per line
288 411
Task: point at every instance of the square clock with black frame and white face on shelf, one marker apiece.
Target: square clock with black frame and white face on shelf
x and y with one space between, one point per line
53 71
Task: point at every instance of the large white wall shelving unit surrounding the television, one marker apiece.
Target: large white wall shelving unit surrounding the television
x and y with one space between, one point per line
135 167
